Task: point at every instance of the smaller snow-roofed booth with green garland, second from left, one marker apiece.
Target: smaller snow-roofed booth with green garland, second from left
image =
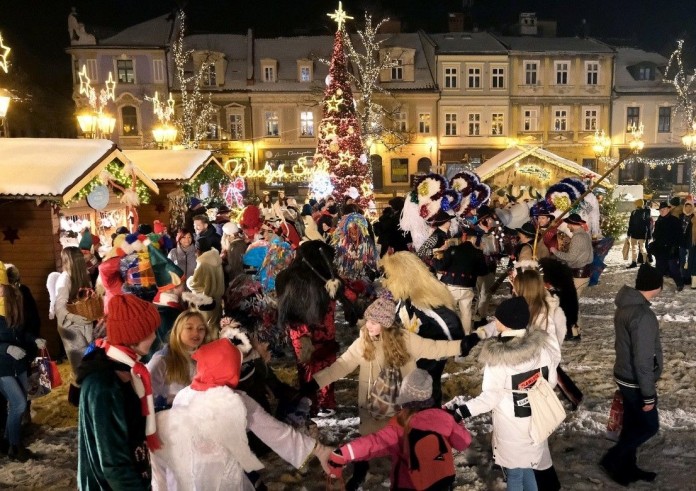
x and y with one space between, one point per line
175 172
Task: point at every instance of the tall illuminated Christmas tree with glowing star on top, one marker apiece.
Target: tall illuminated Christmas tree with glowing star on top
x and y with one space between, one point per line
340 145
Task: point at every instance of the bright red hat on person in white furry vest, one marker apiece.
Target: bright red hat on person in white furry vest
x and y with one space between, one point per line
217 365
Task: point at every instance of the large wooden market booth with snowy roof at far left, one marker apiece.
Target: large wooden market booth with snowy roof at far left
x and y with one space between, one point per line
50 190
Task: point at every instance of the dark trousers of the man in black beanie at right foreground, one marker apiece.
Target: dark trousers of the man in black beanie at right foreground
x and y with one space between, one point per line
638 427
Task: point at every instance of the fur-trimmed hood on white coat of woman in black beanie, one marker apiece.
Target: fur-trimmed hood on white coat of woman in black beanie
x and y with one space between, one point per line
511 351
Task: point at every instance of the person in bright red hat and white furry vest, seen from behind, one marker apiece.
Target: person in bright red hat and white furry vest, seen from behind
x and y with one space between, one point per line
206 430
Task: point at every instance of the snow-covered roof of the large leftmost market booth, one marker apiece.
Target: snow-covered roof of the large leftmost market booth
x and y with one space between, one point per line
56 167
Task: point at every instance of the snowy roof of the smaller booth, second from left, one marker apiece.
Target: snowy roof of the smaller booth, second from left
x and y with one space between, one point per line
172 165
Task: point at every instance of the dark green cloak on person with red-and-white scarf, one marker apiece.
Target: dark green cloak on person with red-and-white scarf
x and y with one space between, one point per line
112 453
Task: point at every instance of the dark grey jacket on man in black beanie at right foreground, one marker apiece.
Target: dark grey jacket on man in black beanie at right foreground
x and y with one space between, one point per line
638 349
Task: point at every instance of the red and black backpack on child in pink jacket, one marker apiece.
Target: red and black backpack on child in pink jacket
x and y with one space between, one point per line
429 458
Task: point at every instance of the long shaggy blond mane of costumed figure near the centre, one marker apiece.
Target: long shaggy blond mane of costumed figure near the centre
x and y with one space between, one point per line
408 278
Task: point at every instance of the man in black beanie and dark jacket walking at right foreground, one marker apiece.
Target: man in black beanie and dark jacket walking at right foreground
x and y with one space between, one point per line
637 368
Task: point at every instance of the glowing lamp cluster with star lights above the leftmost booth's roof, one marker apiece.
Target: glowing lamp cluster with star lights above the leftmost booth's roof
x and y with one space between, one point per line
94 121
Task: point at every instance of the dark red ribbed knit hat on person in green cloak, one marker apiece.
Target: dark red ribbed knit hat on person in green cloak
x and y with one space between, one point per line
130 320
